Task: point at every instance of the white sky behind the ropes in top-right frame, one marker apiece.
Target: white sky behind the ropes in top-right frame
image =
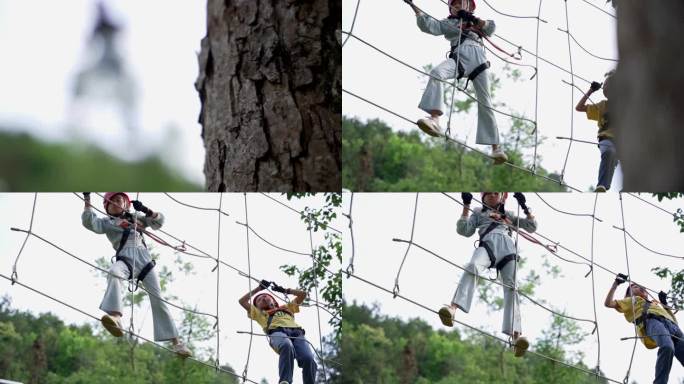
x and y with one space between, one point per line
391 26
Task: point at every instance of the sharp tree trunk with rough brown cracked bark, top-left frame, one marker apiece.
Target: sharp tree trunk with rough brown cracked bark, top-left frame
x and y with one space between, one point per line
270 85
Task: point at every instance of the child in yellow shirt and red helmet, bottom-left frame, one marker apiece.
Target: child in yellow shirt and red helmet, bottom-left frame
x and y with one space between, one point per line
285 336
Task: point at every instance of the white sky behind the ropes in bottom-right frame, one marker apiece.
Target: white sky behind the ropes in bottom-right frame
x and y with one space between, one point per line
380 217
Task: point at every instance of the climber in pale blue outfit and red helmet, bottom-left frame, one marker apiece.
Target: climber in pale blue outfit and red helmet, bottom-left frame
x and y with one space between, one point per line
133 261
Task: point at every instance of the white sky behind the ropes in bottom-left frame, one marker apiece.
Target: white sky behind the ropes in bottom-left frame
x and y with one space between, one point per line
57 218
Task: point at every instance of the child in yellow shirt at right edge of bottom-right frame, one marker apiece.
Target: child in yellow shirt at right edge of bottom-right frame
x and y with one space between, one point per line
656 324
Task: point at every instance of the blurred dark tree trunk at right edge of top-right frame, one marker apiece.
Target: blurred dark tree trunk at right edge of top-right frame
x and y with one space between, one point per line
649 98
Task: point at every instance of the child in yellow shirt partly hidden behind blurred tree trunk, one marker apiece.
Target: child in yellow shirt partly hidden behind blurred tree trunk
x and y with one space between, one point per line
599 113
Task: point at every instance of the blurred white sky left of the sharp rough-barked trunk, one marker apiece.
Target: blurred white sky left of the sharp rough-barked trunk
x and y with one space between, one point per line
42 51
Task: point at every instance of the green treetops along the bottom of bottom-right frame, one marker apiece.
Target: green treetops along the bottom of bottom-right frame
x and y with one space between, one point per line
381 349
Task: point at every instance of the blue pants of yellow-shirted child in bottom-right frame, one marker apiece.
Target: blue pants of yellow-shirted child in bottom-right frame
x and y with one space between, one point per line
662 332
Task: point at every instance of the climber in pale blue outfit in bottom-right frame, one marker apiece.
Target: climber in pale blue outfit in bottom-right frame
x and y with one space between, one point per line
497 250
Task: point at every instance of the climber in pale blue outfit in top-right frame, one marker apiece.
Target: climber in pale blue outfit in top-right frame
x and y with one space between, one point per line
466 59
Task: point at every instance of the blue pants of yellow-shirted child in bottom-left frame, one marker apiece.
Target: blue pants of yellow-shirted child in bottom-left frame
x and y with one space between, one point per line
291 344
